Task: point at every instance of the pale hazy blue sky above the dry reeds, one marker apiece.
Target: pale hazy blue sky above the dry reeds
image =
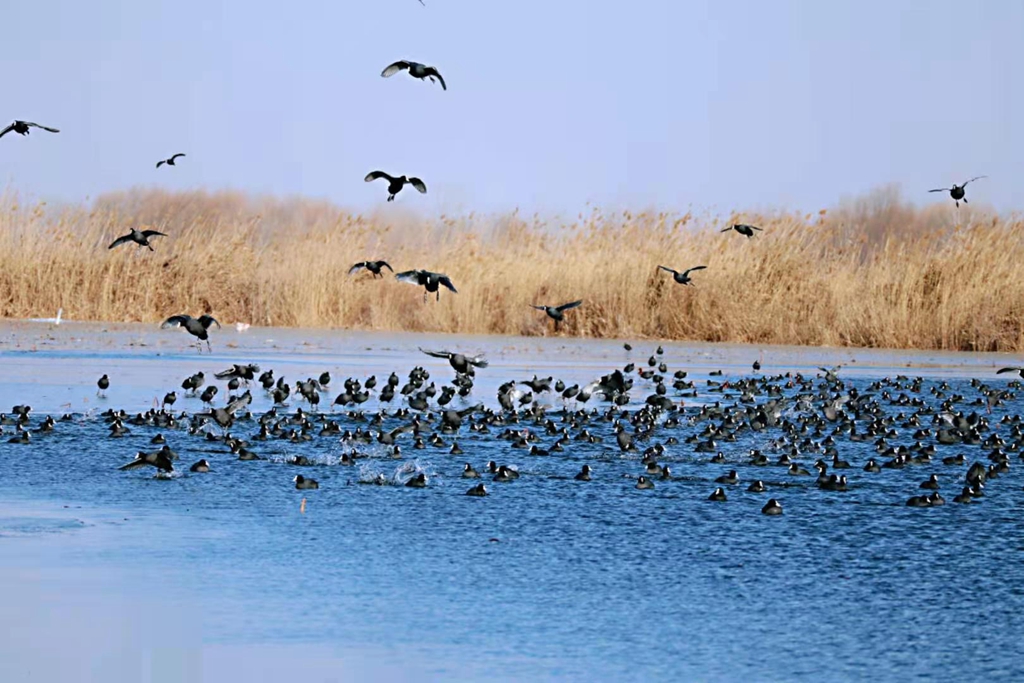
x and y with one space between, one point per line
551 104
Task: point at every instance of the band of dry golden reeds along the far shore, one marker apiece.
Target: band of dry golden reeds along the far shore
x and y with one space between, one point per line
872 273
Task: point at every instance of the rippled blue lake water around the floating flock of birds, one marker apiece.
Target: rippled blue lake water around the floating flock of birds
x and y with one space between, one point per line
112 576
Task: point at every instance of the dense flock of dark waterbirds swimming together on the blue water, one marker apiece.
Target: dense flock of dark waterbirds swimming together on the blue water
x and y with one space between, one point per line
767 434
